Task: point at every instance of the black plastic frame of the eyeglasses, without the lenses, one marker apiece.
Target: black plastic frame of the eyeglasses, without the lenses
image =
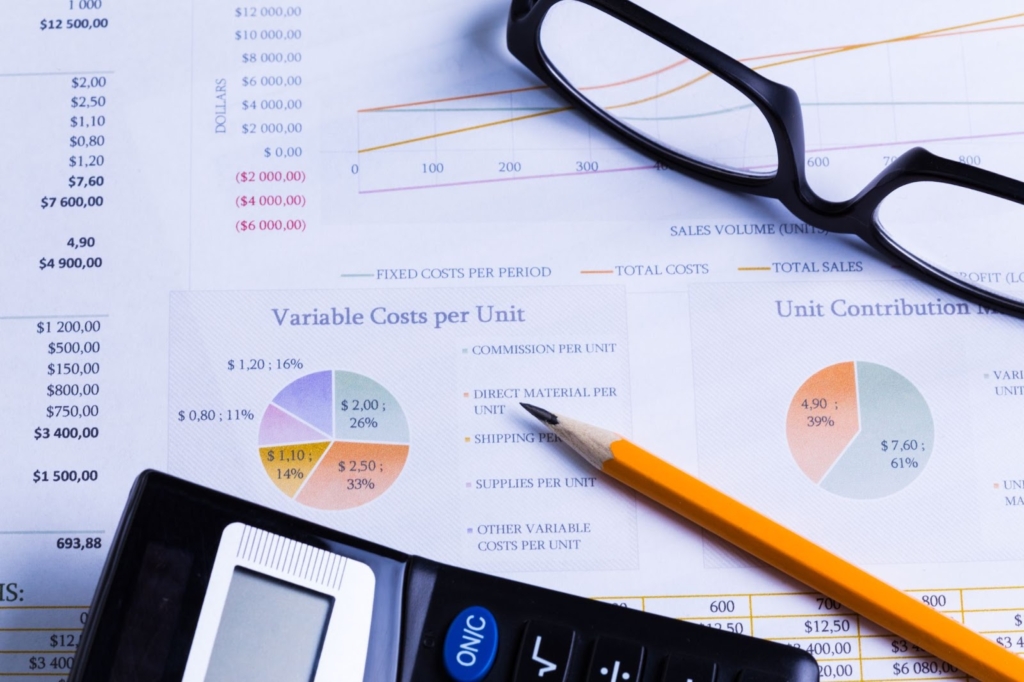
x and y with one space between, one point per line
781 107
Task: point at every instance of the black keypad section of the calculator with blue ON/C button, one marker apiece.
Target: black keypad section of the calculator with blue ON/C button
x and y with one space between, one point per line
552 637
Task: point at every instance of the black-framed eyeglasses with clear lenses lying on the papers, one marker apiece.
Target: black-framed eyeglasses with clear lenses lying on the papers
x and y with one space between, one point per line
700 112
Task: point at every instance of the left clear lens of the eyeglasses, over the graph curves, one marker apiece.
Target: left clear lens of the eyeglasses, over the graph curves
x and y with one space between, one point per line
658 92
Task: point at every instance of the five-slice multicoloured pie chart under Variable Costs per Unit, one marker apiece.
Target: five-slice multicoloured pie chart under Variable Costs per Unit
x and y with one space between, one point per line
333 440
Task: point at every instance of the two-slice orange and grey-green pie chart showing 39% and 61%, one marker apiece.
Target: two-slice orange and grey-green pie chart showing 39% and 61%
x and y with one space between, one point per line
860 431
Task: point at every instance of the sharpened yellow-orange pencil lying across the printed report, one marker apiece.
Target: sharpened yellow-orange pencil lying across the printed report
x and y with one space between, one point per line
787 551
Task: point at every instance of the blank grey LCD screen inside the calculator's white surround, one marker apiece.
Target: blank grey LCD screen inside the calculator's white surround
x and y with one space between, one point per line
271 631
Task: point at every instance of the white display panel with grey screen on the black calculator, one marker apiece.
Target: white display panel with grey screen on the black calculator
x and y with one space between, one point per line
277 610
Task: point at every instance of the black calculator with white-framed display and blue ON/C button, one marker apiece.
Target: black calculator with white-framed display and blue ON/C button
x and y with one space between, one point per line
203 587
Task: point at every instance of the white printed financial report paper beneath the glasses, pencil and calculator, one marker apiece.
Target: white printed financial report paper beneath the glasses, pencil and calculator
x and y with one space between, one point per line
315 254
